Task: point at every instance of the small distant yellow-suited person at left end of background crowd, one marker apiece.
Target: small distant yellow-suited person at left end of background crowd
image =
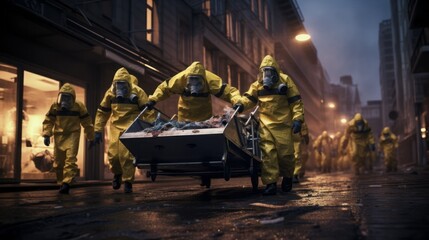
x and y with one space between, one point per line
323 146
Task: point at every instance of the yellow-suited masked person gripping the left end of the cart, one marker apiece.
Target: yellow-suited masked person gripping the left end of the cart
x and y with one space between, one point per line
122 103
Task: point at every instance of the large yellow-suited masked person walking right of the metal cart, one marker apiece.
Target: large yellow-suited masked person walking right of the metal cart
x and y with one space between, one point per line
281 113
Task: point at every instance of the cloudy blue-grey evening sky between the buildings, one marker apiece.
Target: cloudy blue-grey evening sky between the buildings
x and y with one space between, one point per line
345 33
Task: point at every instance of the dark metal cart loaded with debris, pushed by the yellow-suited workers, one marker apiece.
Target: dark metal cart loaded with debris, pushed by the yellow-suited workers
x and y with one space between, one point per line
226 152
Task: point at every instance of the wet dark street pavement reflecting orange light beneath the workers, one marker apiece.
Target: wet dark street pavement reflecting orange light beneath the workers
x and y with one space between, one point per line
322 206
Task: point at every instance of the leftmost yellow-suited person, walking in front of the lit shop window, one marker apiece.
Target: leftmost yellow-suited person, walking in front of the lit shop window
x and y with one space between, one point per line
63 121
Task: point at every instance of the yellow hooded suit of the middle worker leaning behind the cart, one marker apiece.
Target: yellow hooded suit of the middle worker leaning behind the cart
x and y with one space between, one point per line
195 108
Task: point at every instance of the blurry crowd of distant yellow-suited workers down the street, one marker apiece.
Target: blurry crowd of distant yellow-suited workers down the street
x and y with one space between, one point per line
355 148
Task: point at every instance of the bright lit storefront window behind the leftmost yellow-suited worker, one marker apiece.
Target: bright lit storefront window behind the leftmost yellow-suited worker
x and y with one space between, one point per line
36 158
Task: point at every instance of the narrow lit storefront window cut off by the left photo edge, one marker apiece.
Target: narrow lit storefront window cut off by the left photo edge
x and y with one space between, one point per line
8 114
